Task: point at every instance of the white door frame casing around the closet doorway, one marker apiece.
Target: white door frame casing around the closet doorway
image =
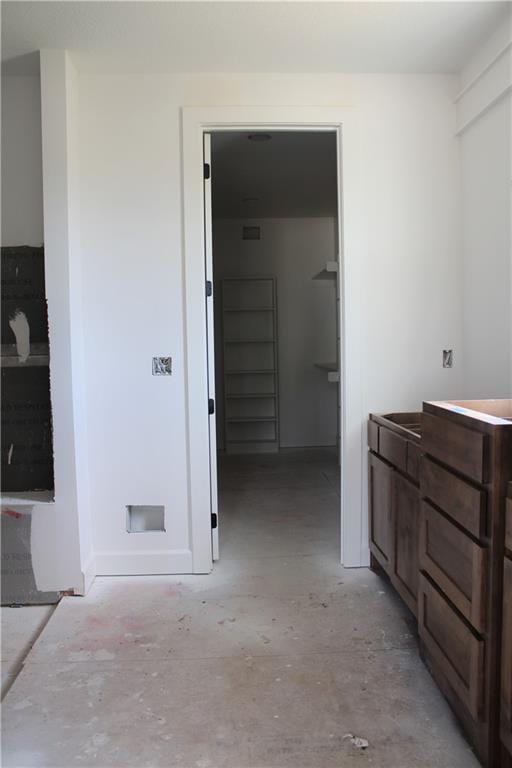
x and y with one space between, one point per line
195 121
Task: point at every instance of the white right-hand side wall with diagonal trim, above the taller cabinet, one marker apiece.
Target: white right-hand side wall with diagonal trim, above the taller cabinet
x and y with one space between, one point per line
486 159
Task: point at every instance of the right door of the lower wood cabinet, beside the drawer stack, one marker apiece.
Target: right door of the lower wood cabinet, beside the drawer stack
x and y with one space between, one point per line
406 508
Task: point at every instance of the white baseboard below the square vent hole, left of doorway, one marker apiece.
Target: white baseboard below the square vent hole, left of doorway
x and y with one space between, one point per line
143 563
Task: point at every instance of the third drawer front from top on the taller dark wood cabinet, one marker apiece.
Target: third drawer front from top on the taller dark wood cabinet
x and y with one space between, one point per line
456 564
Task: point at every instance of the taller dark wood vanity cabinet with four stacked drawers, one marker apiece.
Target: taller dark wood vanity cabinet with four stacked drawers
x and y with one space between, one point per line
466 465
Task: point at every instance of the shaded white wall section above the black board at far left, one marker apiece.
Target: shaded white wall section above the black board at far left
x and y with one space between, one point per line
22 180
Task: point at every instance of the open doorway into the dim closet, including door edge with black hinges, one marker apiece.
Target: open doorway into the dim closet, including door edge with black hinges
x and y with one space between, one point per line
271 198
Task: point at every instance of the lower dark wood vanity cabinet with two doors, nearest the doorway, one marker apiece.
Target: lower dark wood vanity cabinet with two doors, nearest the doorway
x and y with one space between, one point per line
394 500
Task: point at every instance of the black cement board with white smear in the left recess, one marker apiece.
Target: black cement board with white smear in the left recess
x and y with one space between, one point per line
27 451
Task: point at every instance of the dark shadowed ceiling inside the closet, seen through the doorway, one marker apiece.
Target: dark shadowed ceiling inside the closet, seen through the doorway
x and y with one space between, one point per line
291 175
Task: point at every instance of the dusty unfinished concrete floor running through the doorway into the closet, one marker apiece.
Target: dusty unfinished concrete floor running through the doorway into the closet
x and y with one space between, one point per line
279 658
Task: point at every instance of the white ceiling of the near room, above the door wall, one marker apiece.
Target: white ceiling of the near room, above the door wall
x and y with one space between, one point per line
408 37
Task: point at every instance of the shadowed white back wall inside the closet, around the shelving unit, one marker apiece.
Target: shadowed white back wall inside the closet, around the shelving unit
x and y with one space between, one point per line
292 250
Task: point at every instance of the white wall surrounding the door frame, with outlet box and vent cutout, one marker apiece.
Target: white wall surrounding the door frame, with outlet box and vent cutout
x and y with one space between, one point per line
131 242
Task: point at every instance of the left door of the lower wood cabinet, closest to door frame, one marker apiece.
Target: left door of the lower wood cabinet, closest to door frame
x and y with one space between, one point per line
380 479
